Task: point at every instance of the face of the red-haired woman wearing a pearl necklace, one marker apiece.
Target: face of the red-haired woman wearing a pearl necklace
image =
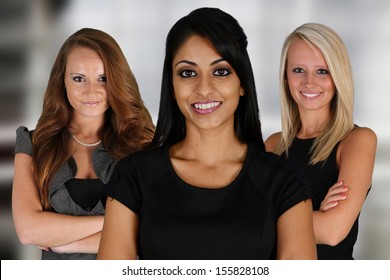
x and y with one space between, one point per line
86 84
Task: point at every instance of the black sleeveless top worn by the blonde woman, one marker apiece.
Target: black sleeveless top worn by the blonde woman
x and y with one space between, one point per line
321 178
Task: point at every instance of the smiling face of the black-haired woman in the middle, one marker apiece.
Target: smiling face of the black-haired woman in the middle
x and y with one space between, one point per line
206 87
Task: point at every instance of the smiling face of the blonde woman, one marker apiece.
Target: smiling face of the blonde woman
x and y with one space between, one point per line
309 80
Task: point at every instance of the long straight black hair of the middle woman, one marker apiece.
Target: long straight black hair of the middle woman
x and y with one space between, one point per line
230 41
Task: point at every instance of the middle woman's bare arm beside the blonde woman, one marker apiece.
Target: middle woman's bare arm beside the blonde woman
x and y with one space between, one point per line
295 235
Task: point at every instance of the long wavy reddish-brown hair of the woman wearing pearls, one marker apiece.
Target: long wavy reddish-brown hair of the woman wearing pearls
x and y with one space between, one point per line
128 125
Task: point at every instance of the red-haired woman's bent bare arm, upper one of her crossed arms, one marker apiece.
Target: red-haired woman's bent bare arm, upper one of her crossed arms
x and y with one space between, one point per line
44 228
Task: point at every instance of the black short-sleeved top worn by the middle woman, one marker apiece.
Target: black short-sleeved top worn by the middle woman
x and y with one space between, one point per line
181 221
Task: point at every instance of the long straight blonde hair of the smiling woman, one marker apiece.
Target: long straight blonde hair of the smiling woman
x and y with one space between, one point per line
337 59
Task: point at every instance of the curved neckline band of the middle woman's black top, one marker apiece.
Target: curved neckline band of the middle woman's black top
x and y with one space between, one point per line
191 187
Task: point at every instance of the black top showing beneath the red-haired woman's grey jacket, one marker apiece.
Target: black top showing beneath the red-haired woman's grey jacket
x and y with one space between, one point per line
85 192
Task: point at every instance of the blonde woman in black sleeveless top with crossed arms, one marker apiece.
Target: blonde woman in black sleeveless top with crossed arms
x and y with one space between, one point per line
319 133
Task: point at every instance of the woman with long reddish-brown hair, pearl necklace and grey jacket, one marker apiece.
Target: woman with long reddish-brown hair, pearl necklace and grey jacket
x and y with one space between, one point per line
92 116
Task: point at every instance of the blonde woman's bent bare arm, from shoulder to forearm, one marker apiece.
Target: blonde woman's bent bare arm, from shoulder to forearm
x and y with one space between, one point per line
356 158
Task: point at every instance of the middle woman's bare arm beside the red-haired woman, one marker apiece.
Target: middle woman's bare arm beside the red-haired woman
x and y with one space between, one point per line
120 222
